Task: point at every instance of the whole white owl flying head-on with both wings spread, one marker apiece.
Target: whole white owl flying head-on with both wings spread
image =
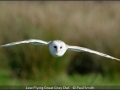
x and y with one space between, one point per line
58 47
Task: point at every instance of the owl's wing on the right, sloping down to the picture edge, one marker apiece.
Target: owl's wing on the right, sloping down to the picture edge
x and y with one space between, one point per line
79 49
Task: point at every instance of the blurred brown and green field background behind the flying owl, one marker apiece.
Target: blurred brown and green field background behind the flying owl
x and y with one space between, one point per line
90 24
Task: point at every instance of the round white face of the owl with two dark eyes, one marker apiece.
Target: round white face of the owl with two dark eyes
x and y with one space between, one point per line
57 48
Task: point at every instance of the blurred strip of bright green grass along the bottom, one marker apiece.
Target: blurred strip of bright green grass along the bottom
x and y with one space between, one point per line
61 79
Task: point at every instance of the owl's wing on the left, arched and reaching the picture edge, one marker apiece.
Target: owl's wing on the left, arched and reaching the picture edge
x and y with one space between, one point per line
32 41
